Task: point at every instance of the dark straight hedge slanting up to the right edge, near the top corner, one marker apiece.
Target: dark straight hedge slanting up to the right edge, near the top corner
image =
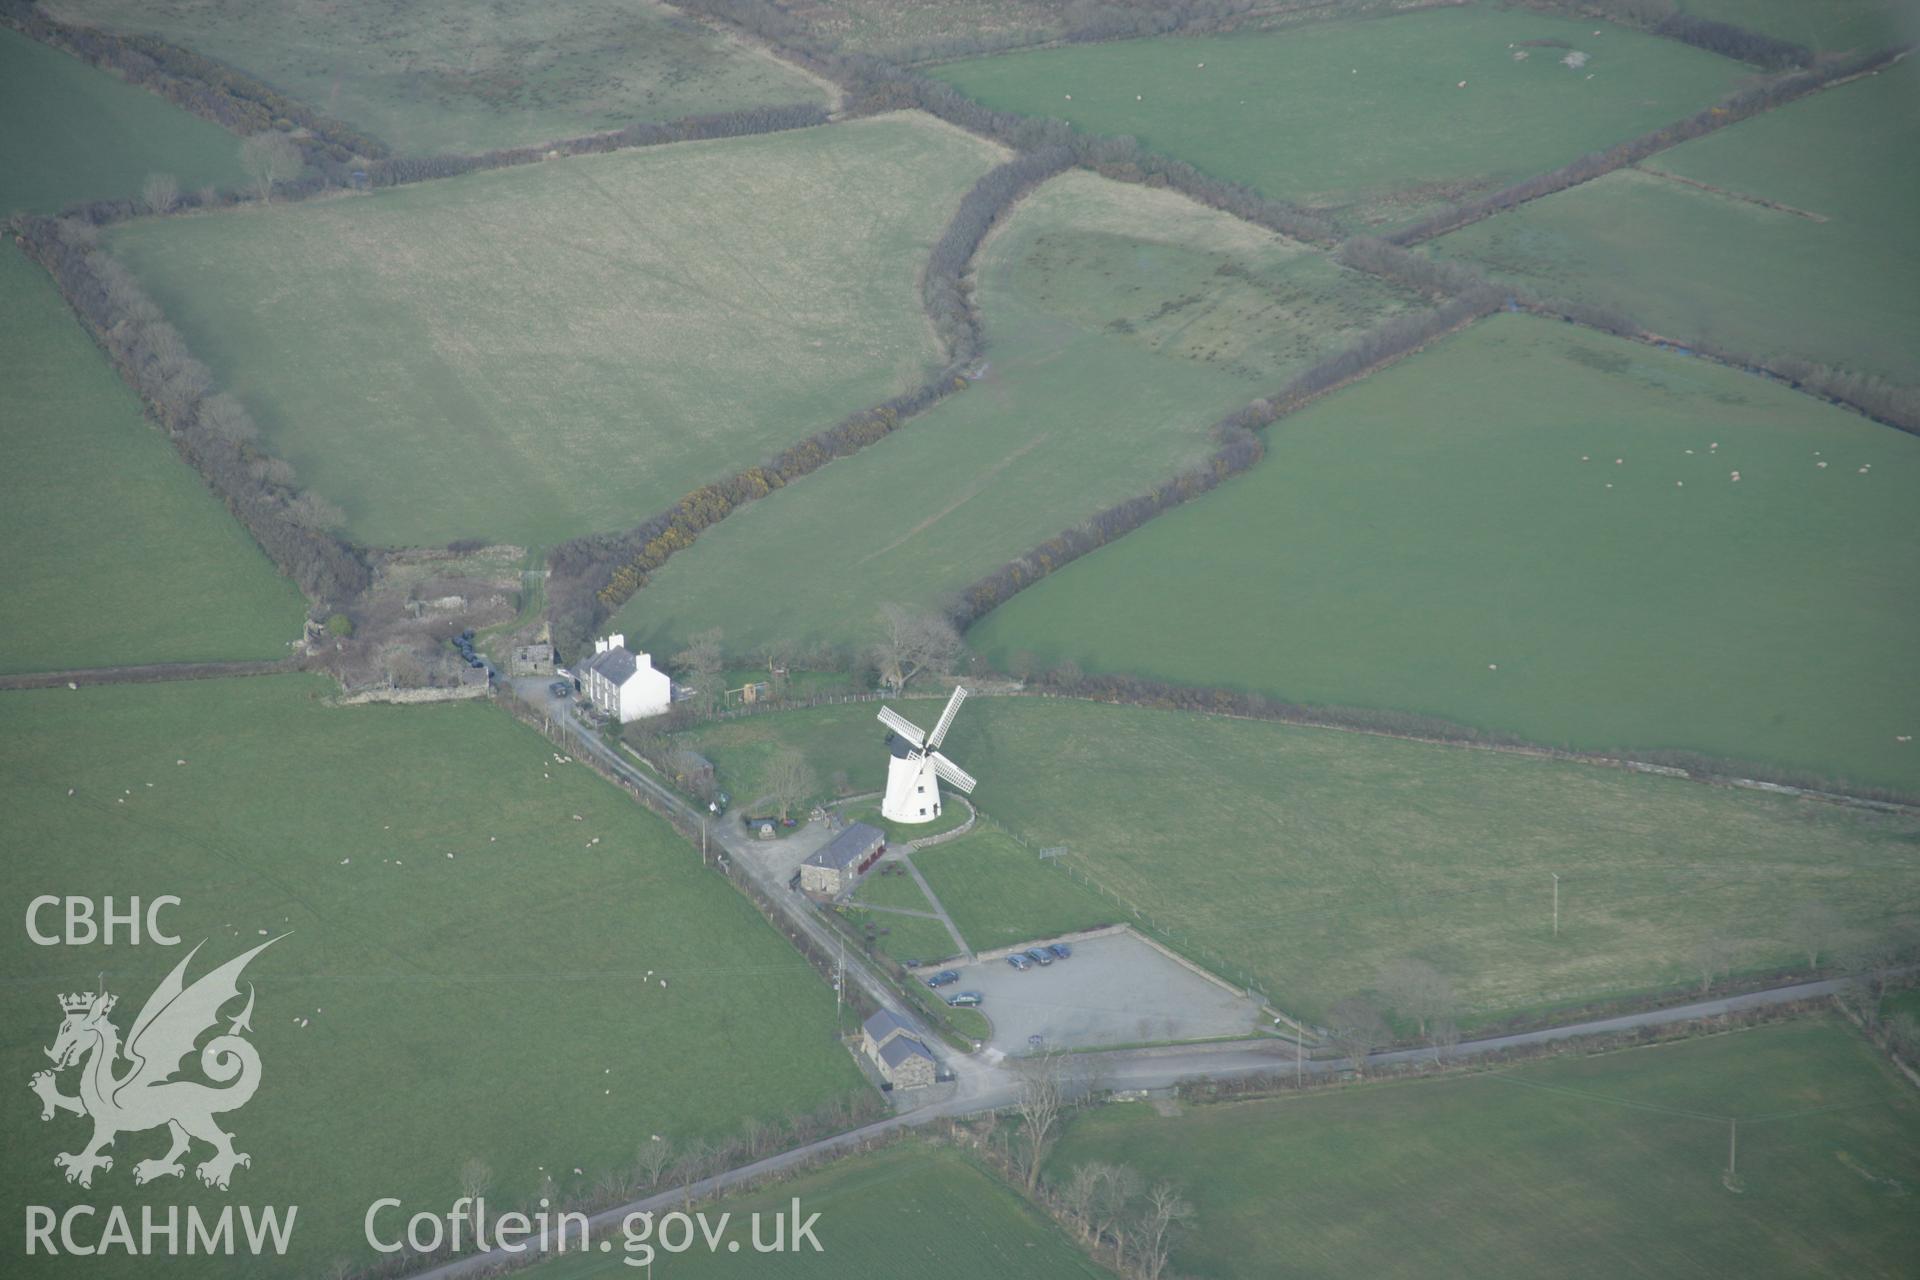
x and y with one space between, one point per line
1731 110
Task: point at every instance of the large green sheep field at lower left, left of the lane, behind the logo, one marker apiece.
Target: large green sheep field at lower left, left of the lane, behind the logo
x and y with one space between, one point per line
466 974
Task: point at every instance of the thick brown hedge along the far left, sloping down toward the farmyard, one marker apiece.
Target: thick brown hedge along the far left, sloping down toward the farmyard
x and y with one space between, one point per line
208 427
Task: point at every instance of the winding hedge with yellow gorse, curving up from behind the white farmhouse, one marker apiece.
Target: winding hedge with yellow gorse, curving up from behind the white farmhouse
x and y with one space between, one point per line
596 575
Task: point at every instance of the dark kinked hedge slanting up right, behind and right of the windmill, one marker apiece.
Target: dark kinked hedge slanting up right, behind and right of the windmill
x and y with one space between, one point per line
1236 450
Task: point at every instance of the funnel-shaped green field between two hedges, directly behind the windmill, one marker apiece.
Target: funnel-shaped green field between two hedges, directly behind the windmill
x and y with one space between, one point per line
1122 323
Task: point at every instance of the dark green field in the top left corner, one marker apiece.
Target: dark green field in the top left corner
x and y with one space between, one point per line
78 133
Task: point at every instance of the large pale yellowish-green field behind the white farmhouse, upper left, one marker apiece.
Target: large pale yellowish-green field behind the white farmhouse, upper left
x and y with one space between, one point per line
554 350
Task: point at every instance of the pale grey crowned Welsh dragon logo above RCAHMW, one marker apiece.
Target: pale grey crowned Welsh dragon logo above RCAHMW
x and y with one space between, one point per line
147 1095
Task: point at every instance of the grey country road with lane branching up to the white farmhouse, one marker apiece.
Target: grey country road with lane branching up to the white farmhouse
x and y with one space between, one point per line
986 1087
